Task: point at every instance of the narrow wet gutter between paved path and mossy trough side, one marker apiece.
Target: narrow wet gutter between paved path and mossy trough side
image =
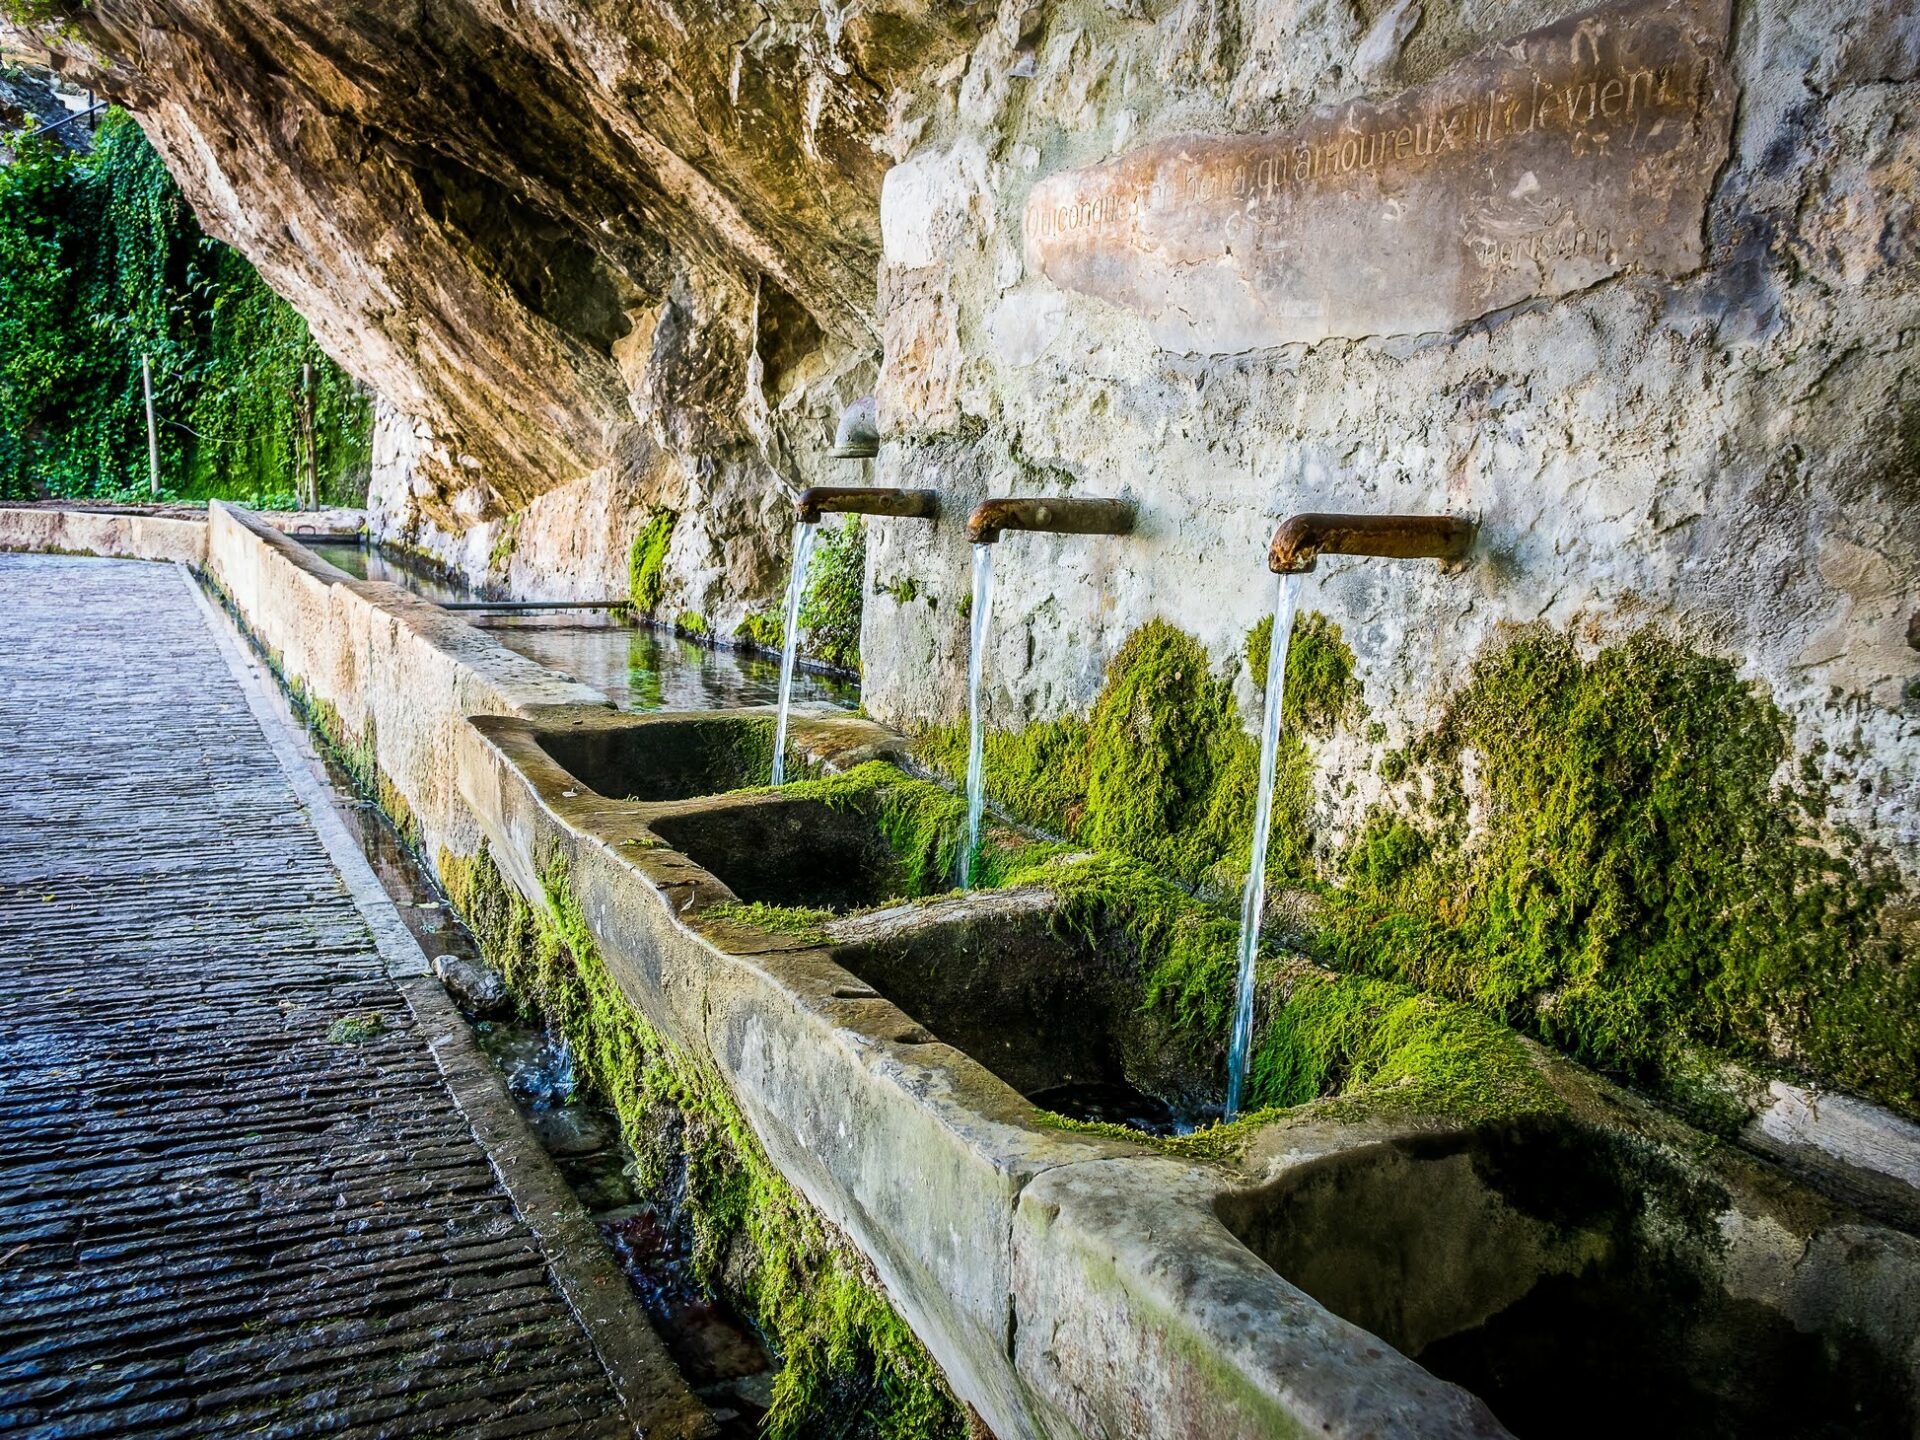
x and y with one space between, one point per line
650 1237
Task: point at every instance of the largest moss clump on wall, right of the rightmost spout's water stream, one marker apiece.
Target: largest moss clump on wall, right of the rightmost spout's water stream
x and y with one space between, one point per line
1641 880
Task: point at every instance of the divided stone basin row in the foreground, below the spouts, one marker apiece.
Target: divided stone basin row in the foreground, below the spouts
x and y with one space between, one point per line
1598 1270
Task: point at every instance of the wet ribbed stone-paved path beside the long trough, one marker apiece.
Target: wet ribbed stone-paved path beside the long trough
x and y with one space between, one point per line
235 1193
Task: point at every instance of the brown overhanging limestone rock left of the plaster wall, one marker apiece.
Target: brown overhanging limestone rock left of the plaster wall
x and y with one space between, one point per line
537 229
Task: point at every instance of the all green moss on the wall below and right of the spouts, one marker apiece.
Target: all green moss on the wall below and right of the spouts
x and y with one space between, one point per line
1639 882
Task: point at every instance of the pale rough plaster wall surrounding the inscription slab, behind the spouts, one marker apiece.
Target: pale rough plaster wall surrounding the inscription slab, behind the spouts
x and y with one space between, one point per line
1731 454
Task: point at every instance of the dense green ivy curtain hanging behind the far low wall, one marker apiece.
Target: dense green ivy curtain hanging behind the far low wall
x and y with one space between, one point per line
101 264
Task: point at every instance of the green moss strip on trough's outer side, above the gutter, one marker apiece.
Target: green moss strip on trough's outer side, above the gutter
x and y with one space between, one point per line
790 1272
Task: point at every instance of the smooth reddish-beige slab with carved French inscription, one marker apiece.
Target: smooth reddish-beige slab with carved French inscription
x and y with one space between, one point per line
1535 168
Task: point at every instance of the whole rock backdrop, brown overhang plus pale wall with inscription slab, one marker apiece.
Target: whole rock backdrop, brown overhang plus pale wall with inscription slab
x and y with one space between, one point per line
612 266
